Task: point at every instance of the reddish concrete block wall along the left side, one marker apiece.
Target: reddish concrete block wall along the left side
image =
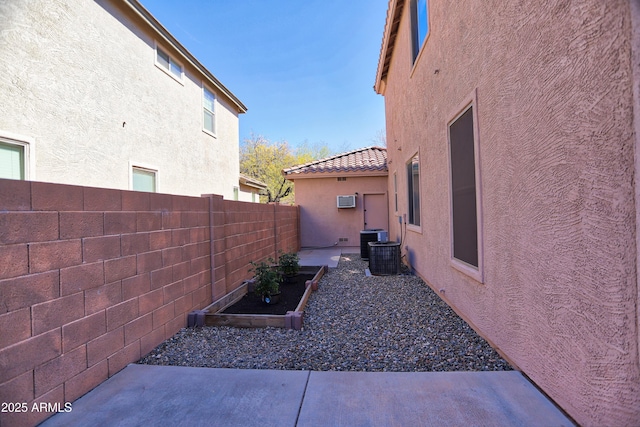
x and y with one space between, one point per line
92 279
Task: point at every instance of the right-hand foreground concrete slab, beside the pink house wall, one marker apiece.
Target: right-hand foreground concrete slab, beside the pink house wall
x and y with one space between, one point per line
426 399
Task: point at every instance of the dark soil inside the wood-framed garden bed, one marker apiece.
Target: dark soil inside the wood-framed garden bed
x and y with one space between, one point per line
291 292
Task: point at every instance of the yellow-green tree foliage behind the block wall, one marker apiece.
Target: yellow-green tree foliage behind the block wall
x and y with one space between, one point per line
264 160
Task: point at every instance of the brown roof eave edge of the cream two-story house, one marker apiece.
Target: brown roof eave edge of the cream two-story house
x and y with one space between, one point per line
165 35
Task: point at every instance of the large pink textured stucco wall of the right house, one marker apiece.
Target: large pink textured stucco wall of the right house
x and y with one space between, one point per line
552 84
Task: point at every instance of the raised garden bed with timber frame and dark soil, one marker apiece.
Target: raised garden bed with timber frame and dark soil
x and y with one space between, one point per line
241 308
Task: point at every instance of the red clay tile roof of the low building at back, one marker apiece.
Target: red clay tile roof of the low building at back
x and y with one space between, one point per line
363 161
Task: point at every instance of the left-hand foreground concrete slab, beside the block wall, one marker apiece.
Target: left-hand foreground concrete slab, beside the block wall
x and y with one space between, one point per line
178 396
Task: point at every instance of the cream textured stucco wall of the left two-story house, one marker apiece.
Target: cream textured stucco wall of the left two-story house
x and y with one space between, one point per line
79 78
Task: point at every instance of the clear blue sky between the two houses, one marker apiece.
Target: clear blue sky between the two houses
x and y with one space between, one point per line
305 69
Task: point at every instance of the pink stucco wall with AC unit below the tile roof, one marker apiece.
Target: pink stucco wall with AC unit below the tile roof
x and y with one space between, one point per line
321 222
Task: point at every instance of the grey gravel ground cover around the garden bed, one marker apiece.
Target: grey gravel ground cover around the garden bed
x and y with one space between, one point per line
352 323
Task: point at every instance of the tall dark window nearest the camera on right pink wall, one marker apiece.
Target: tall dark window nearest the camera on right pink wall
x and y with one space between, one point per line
464 206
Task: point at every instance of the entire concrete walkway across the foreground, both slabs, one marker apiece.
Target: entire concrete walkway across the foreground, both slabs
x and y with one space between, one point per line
171 395
